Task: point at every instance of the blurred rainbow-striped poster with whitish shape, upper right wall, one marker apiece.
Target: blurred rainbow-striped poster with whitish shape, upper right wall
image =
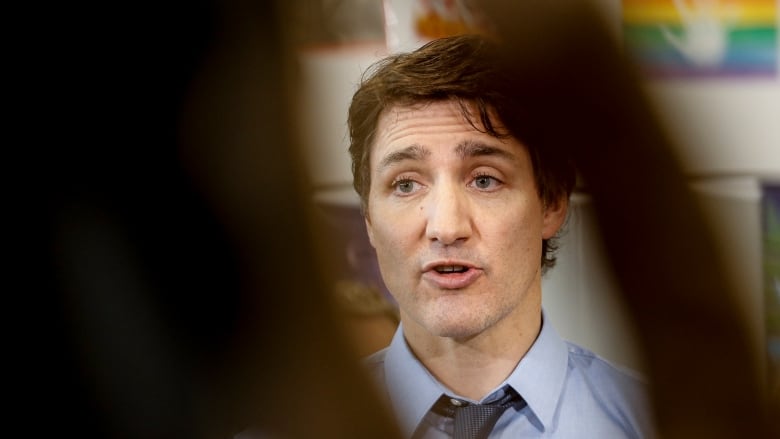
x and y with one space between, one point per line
702 38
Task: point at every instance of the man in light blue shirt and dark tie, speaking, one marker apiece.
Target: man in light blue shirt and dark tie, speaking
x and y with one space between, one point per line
463 217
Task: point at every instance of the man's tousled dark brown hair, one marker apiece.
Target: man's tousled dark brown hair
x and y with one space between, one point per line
464 69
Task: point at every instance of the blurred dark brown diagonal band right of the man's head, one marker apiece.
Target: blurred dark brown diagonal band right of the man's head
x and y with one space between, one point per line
585 98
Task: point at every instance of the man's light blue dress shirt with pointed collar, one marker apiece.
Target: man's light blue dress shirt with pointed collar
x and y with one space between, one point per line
570 391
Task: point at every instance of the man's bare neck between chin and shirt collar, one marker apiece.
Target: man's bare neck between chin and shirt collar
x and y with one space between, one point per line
474 366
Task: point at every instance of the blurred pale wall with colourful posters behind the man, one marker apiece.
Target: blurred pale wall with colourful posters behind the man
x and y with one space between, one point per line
710 67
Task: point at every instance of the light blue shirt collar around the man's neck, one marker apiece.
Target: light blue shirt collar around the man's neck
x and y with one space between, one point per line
538 378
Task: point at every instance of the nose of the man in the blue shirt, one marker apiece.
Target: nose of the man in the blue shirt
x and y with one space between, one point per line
448 216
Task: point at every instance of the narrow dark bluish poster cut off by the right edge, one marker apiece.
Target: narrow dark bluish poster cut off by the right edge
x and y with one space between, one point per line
771 232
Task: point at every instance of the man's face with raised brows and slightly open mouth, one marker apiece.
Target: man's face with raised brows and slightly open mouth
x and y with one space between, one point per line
456 221
